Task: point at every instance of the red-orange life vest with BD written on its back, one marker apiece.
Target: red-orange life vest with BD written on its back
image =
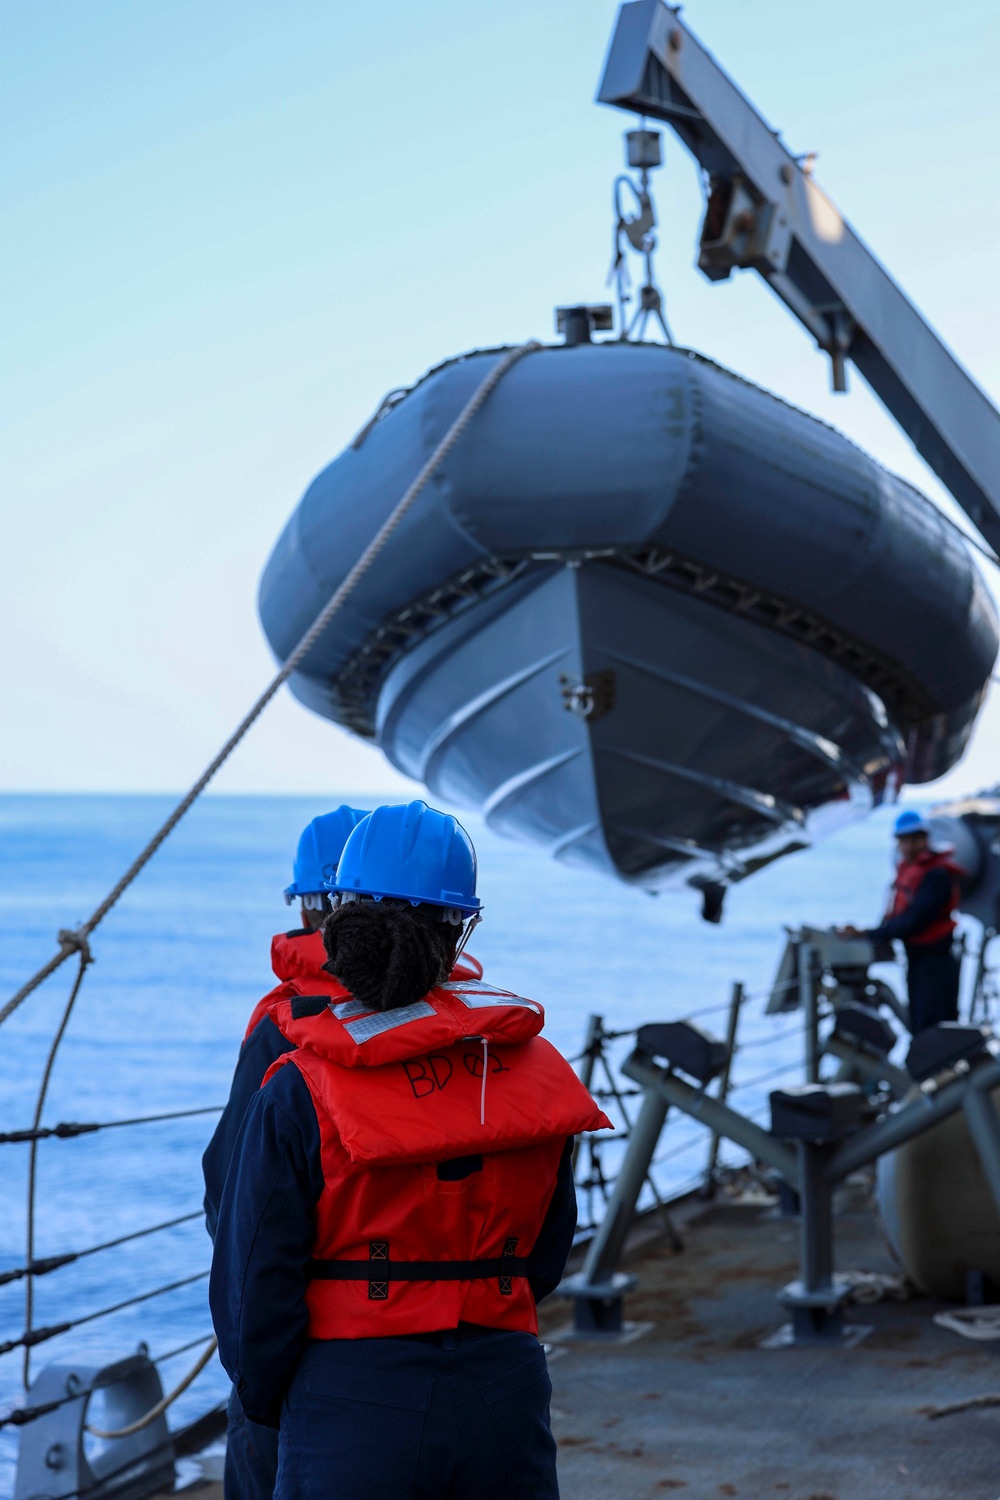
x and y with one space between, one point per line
460 1078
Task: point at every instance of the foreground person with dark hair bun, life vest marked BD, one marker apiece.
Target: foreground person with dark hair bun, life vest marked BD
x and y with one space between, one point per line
401 1195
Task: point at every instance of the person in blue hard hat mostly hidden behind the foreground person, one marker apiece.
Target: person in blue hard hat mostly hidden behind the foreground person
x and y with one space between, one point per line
298 959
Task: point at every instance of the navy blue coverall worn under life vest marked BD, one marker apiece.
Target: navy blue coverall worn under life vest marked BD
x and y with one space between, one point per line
457 1415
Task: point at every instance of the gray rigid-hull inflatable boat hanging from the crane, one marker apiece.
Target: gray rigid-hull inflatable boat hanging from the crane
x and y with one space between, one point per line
647 614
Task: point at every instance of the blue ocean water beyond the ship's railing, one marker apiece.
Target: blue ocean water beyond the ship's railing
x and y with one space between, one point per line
185 956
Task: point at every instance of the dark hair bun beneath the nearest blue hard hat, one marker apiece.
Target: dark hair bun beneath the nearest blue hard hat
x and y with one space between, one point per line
389 953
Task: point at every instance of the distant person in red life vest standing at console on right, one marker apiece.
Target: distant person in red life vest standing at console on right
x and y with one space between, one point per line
924 896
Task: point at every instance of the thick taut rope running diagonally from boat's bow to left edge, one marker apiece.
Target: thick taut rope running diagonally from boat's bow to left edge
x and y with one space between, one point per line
77 941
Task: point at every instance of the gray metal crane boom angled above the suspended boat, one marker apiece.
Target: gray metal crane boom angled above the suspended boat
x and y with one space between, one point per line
765 212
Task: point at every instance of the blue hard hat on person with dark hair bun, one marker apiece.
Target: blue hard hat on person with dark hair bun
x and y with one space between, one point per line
415 854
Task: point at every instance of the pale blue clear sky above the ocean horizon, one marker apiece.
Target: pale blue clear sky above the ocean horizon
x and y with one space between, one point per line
232 227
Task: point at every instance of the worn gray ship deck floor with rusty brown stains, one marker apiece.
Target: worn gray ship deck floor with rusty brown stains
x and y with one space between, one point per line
698 1408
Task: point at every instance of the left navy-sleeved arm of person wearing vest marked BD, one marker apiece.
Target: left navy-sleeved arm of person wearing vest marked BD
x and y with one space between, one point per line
265 1243
